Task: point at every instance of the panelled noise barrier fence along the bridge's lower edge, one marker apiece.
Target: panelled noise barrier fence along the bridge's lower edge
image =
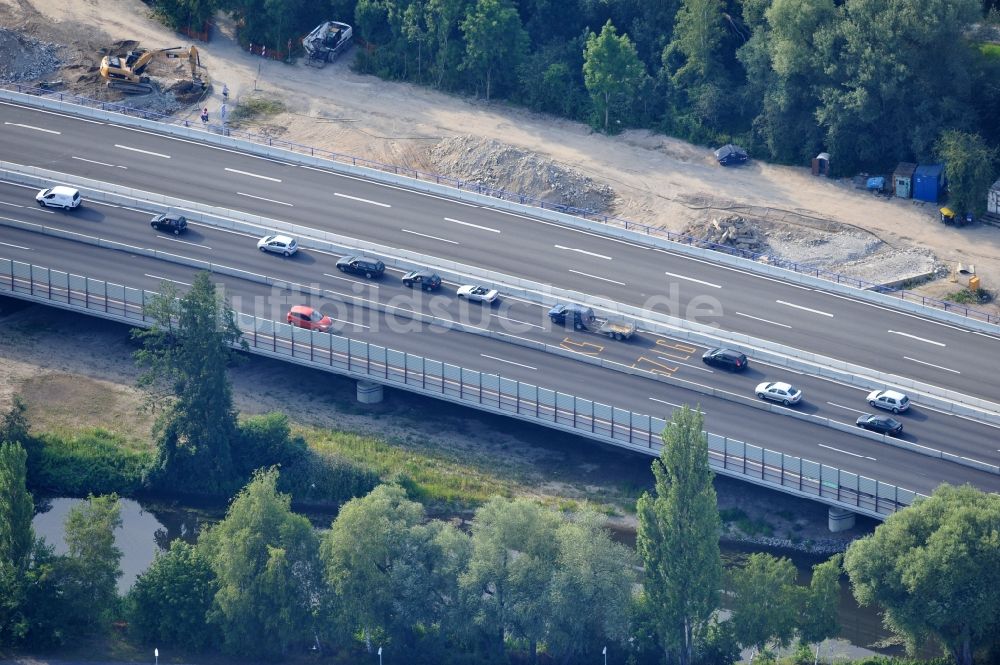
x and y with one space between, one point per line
489 392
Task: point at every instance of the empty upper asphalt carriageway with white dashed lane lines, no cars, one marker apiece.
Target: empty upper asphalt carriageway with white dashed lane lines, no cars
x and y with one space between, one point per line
818 321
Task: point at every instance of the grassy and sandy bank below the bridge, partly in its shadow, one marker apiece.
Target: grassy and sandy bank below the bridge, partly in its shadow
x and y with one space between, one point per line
76 375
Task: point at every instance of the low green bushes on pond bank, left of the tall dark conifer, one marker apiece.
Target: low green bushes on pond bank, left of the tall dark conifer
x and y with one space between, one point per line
92 462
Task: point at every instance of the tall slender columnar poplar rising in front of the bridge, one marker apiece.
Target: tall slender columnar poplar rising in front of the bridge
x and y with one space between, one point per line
678 538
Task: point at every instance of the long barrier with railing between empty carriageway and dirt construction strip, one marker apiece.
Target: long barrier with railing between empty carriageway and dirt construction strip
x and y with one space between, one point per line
470 186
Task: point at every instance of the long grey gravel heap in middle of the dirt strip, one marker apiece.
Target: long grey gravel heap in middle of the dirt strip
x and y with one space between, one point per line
500 166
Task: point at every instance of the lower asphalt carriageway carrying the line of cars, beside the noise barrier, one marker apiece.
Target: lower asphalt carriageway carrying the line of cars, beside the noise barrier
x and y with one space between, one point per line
734 419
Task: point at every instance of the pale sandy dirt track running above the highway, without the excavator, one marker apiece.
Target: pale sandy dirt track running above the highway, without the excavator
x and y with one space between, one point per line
652 178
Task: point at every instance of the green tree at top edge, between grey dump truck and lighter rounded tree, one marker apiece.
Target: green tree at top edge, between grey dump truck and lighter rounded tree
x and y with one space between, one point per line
495 42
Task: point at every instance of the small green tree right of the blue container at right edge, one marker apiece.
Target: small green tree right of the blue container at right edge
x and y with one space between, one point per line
968 168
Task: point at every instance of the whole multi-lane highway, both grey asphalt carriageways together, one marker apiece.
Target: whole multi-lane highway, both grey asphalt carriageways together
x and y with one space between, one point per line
652 374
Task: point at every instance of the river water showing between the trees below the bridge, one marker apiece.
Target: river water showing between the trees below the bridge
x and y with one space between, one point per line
150 526
